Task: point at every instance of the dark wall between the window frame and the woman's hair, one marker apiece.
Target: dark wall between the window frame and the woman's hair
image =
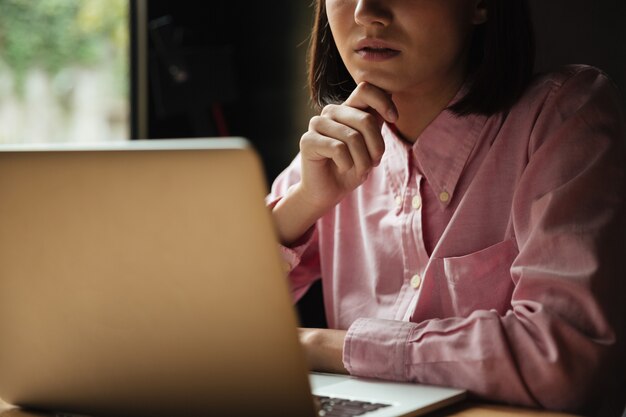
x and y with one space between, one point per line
225 68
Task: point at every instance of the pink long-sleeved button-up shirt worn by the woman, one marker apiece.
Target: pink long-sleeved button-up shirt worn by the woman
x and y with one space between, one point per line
480 257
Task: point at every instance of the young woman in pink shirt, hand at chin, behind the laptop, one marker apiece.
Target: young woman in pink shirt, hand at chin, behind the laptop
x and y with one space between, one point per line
461 214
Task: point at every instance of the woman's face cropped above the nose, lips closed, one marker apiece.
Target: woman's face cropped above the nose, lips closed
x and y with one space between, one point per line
406 46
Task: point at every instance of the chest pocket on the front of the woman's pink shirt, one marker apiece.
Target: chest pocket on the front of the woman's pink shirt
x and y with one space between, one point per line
481 280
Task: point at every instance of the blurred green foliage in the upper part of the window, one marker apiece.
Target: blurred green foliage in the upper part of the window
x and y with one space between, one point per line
56 34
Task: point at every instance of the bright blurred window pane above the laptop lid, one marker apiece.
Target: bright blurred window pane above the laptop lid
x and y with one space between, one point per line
64 71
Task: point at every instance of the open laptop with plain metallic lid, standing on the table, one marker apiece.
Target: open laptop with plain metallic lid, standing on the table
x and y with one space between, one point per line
143 278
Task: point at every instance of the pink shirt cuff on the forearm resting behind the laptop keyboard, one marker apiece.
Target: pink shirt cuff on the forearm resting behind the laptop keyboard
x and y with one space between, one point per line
376 348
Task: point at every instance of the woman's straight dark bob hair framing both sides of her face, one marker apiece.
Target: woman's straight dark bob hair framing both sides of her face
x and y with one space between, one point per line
501 60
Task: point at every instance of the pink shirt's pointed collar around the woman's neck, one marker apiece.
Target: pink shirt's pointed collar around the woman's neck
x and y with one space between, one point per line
442 150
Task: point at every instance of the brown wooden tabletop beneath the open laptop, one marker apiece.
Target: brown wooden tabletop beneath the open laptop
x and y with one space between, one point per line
465 409
